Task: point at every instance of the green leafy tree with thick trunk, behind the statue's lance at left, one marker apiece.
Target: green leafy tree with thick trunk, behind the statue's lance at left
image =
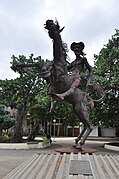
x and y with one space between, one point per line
28 85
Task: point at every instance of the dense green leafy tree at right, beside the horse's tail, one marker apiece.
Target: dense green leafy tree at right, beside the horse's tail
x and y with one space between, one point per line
106 69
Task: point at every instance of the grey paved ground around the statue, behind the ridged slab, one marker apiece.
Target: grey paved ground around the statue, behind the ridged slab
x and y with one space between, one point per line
10 159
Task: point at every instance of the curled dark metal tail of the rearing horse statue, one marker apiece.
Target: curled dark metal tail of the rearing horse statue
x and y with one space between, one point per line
100 90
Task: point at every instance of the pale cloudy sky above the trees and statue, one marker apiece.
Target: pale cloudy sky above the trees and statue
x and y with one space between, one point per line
22 27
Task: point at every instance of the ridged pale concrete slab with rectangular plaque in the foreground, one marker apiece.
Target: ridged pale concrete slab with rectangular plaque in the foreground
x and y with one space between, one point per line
57 166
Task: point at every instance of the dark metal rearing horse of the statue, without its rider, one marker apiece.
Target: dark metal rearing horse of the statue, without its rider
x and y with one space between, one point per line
61 83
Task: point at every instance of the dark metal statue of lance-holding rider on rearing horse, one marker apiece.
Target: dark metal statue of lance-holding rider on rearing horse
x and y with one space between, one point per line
65 86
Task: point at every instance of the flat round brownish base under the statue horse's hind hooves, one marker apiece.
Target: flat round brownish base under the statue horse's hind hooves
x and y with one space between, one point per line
69 150
